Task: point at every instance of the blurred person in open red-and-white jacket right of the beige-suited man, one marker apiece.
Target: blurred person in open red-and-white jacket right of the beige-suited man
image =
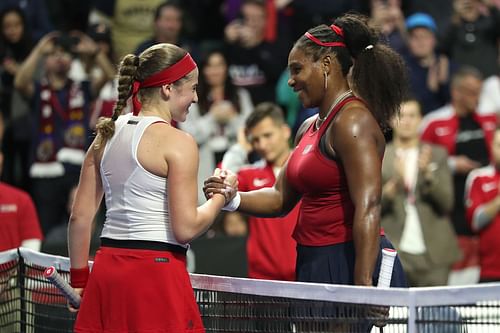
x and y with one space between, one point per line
467 136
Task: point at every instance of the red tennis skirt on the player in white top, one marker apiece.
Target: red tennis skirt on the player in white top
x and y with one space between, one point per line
132 291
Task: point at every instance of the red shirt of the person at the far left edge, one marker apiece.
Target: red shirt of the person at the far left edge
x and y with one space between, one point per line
18 218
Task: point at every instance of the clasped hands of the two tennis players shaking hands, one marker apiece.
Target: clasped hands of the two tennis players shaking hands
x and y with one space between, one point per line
223 182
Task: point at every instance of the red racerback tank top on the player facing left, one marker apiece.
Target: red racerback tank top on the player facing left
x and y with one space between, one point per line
327 211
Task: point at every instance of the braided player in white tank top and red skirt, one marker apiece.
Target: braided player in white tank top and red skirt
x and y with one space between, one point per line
146 170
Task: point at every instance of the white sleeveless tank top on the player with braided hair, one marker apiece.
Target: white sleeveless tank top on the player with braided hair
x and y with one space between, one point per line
136 199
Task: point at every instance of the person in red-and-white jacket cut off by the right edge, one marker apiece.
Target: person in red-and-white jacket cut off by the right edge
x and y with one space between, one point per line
482 199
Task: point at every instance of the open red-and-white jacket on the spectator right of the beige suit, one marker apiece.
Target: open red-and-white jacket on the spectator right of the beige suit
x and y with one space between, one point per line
441 127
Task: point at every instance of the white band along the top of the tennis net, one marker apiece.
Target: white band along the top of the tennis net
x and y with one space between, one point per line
429 296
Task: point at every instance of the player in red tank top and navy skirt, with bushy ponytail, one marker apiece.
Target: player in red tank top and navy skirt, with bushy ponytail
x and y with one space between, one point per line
335 168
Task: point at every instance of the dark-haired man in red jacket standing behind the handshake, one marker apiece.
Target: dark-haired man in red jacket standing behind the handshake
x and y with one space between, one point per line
270 247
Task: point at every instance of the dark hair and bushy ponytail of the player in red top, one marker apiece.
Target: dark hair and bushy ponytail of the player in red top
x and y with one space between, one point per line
379 74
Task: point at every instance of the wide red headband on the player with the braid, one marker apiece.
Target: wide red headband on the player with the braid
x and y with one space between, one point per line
166 76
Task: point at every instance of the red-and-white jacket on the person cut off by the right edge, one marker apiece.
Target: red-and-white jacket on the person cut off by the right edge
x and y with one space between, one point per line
481 188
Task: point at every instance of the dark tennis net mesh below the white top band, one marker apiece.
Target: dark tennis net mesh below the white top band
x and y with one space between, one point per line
30 303
